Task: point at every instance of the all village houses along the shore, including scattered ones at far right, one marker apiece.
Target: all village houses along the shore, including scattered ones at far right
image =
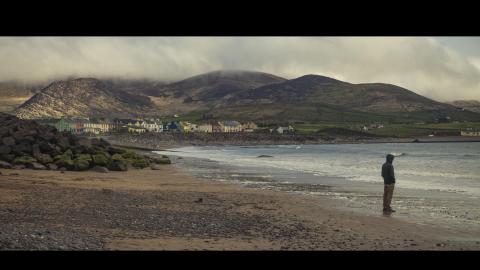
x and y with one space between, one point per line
95 127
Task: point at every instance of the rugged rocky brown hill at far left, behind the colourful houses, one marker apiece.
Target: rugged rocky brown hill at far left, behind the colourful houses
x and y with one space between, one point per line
84 97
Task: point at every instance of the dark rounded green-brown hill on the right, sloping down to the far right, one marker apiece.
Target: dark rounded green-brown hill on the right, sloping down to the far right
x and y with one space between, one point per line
320 98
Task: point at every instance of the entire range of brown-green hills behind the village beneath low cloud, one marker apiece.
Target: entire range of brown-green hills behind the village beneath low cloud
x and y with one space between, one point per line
242 95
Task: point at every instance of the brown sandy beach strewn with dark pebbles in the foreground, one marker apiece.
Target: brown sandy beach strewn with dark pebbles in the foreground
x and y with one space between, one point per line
168 210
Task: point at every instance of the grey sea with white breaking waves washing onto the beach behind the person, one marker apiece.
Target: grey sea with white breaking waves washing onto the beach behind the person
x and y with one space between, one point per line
437 183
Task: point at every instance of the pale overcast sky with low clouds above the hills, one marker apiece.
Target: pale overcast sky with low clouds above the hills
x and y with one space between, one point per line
442 68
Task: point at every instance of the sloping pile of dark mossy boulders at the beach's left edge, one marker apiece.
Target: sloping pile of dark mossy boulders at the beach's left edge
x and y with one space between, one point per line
27 144
